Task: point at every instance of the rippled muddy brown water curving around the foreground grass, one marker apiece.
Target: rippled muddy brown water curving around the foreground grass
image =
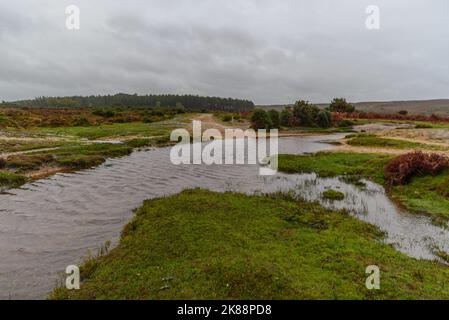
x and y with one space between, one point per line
52 223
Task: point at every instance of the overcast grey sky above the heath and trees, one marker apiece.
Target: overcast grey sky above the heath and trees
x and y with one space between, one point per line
269 51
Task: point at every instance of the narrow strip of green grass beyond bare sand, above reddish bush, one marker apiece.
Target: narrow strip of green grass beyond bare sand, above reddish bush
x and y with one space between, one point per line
371 140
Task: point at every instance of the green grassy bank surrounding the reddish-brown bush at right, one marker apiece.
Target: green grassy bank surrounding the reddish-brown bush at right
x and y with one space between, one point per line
425 194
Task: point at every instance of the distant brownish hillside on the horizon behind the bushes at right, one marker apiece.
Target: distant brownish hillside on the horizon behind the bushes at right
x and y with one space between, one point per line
424 107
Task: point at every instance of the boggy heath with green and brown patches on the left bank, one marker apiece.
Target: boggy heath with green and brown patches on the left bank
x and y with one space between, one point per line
35 143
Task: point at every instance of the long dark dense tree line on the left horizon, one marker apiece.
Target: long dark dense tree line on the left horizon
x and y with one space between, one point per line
189 102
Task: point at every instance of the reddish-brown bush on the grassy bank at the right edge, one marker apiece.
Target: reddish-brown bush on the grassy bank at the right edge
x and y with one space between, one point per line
401 169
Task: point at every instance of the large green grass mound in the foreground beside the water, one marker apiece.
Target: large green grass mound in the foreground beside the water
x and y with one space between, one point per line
204 245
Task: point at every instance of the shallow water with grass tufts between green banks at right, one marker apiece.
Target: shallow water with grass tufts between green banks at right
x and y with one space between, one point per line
412 234
